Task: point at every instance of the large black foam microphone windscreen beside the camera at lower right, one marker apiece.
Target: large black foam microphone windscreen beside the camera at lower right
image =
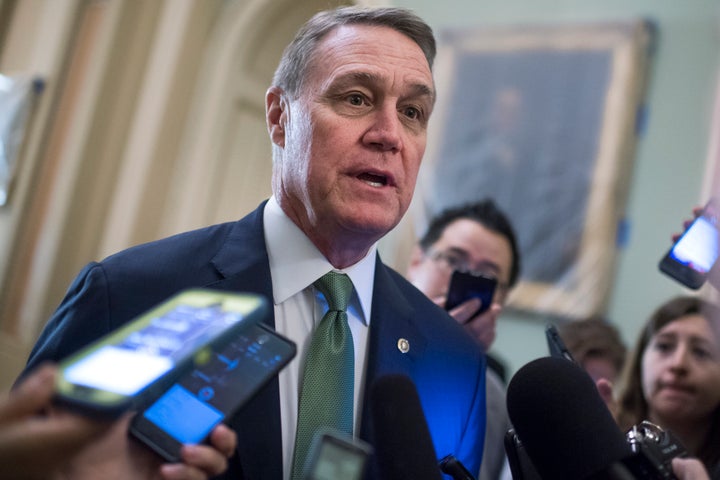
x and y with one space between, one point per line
563 423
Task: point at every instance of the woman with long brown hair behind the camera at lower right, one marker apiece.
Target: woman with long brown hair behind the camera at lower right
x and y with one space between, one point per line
672 377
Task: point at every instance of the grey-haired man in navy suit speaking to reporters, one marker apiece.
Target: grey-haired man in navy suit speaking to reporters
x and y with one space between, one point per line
347 115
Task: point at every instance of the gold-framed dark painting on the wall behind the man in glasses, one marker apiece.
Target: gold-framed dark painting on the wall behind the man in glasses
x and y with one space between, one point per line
544 120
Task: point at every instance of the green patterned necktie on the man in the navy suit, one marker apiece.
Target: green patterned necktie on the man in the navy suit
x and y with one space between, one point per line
326 398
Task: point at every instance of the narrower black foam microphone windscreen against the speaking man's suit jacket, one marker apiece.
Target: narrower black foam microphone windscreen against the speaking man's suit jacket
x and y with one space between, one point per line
402 442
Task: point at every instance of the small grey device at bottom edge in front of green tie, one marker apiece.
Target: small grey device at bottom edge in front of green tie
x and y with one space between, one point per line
334 455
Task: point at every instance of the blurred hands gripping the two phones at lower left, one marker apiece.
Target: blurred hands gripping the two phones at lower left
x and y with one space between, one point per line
74 446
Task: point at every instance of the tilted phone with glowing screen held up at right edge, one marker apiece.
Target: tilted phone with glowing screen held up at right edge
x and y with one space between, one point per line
693 255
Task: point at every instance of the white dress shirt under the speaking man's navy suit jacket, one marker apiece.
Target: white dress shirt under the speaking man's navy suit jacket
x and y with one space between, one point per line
295 264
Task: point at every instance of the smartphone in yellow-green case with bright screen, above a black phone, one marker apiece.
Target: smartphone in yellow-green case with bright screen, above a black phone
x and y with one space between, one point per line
125 368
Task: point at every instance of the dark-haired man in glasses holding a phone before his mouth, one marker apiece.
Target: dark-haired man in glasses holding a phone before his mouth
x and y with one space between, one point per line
478 238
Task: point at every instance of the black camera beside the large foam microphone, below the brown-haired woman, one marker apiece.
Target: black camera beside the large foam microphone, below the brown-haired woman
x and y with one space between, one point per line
654 449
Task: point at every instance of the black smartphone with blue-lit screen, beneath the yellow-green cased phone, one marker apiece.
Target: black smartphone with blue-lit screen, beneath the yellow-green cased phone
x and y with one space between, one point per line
190 409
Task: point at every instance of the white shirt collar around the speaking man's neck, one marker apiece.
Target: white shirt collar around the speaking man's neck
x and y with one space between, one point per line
295 262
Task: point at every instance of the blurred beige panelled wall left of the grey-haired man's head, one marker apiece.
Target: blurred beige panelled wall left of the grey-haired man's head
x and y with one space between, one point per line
152 123
